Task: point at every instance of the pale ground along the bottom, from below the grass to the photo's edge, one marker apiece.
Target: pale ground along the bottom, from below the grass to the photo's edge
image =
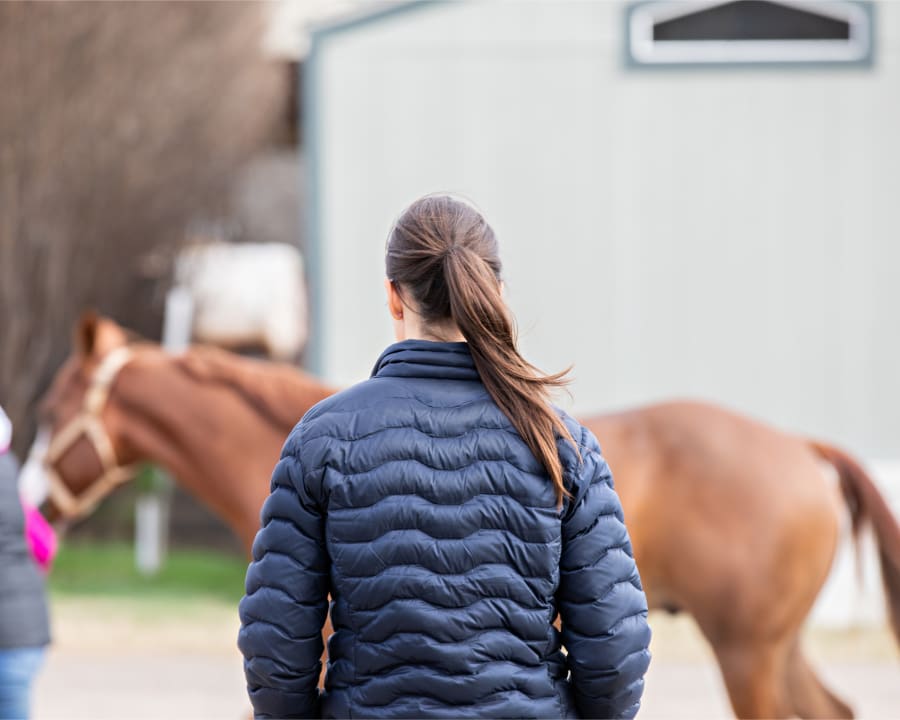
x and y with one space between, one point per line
134 660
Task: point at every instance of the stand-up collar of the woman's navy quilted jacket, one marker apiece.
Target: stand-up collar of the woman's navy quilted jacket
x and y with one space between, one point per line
427 359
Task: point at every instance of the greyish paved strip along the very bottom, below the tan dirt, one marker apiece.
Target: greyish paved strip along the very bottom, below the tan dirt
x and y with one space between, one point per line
198 687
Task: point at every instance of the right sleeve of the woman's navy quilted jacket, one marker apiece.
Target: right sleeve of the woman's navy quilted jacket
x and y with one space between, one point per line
601 603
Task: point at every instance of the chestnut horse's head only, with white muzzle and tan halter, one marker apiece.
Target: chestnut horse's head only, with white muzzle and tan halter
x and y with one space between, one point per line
79 446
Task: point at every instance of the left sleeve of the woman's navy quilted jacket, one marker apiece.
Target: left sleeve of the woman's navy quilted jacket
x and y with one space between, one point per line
286 597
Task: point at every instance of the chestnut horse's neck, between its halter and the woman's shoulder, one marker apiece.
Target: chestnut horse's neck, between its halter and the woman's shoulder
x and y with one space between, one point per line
216 444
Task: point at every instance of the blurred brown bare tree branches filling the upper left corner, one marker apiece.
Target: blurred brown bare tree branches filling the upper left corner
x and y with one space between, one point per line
120 124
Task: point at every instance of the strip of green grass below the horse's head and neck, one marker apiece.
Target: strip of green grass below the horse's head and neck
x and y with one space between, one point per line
108 570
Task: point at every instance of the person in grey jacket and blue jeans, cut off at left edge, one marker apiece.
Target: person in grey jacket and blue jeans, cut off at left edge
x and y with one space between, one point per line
24 622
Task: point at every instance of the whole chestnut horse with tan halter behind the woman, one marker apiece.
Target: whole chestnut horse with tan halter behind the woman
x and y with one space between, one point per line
731 521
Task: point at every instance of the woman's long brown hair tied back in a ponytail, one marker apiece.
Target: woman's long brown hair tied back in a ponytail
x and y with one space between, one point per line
443 252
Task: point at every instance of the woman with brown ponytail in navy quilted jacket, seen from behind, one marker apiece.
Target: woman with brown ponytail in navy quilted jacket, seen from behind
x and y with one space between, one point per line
451 513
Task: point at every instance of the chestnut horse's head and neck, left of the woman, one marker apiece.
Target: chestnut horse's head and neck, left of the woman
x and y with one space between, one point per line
114 403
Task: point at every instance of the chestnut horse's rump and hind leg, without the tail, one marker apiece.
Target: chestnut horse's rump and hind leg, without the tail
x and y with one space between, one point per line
736 524
